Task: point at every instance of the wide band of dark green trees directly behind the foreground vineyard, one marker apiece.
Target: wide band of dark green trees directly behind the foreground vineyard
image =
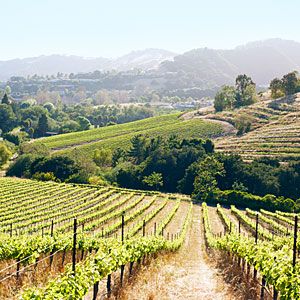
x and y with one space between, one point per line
187 166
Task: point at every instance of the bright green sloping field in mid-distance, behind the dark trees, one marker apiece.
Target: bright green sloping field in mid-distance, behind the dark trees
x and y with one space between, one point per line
119 135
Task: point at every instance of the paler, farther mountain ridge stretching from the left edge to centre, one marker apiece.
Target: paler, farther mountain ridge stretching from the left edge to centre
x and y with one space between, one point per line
52 64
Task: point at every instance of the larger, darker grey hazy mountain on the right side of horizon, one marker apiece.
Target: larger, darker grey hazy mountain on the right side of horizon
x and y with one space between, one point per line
262 60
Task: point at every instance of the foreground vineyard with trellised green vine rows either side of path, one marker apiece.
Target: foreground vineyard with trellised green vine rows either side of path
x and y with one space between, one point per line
65 241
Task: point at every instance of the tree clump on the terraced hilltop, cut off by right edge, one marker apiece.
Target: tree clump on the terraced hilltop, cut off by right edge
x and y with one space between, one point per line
289 84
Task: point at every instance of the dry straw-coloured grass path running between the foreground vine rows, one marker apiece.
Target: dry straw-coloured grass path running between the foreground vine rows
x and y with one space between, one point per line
184 275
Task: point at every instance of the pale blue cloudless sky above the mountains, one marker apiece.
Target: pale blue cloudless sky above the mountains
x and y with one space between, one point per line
114 27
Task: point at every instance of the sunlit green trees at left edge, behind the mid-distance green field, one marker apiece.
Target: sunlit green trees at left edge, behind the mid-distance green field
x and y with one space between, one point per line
28 119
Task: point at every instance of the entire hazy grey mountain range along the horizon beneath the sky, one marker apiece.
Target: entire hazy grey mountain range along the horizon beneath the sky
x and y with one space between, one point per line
205 68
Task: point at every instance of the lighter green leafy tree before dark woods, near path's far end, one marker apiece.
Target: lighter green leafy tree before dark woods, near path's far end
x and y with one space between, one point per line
205 184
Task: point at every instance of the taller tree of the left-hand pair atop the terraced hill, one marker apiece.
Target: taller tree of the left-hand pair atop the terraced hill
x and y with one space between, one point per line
245 90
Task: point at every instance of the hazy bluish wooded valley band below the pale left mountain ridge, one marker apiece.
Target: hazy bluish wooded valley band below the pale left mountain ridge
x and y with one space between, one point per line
103 88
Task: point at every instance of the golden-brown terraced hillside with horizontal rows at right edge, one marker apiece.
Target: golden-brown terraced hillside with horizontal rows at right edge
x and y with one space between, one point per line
275 130
